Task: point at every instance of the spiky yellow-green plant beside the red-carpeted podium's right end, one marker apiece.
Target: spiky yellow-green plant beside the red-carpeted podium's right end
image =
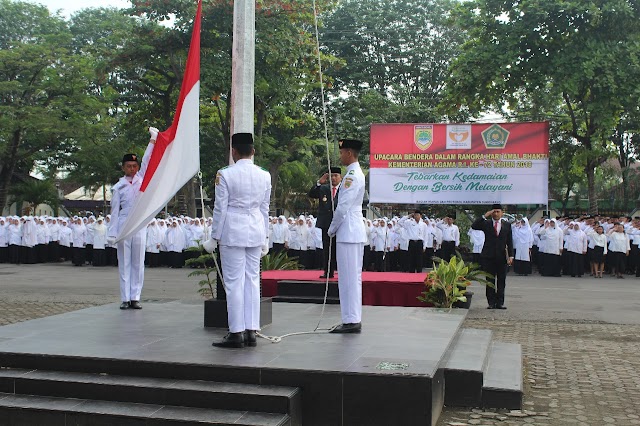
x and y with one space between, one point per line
446 285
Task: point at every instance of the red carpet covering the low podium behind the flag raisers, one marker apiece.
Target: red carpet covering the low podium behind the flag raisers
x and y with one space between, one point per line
378 288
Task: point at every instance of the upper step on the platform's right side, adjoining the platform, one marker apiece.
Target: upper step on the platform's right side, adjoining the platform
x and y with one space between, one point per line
464 368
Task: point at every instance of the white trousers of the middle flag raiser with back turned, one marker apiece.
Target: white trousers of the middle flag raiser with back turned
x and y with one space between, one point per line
241 272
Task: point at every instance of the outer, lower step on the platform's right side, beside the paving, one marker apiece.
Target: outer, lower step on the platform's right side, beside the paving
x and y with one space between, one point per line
503 387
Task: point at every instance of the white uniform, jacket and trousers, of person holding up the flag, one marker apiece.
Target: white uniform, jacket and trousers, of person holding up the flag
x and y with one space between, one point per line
130 250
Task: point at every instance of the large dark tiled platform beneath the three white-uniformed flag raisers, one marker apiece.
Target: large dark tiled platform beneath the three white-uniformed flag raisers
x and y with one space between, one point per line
157 366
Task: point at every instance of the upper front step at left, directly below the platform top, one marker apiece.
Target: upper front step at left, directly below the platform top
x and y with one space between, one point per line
149 390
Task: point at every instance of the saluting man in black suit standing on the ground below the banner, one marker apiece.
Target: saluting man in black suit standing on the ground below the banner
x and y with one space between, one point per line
497 252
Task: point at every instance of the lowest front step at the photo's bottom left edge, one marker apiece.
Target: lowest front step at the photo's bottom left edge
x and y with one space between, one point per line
54 411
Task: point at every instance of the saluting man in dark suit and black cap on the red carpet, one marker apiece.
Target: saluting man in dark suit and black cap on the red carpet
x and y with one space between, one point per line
325 192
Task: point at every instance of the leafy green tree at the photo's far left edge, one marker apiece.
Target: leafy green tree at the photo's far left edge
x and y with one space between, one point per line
44 103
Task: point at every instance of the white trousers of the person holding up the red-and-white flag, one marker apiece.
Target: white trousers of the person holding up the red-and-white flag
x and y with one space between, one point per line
131 265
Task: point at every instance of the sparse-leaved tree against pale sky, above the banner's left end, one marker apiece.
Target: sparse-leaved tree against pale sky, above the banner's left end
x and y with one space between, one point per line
395 61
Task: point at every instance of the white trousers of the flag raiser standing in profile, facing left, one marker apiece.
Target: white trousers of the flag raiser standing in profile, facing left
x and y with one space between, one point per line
349 258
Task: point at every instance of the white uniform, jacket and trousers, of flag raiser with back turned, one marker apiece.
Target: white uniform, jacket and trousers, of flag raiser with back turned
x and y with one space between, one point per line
241 224
